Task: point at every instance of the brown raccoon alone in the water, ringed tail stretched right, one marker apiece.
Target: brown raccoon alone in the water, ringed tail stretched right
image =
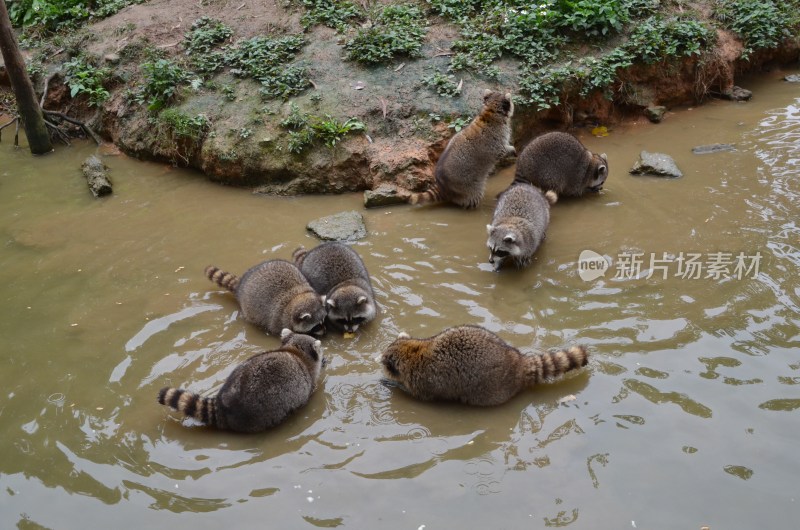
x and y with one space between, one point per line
471 365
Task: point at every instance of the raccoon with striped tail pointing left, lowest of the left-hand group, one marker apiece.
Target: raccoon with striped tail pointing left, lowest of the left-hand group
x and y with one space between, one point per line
261 392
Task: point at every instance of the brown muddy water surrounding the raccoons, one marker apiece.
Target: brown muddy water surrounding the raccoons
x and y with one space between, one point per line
686 416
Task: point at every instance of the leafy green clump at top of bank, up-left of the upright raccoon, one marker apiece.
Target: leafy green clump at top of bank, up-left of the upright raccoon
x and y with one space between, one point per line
397 30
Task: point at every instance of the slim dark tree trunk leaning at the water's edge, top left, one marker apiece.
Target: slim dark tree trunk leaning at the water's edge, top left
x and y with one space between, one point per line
29 111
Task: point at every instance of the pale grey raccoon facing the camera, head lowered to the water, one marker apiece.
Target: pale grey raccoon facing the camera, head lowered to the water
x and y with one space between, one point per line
518 225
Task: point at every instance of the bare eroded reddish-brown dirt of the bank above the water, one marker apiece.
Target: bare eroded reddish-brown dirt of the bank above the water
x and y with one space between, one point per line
406 123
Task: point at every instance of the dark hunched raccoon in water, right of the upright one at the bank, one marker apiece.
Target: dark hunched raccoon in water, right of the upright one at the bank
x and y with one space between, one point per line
559 162
